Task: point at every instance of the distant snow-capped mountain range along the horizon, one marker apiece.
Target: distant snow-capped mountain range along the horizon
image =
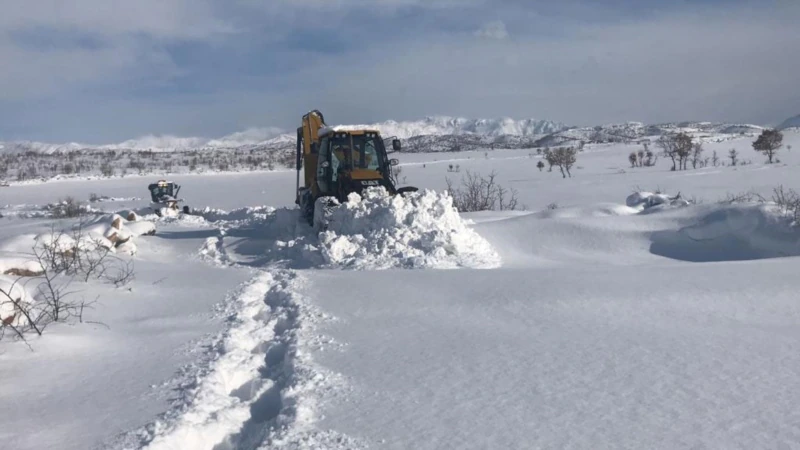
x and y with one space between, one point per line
439 133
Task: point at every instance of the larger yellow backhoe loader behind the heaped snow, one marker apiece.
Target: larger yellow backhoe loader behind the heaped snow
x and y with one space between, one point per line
337 162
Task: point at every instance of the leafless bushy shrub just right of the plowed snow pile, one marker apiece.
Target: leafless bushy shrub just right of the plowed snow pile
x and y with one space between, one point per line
478 193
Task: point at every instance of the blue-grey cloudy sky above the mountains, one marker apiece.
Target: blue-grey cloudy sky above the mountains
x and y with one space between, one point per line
101 71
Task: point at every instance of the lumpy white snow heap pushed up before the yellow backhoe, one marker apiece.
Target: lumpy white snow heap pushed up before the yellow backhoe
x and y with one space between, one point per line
419 230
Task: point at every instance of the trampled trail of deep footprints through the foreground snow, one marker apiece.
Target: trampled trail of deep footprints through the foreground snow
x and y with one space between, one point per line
261 386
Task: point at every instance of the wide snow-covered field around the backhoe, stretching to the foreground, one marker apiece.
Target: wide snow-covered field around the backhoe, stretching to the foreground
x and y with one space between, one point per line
593 323
